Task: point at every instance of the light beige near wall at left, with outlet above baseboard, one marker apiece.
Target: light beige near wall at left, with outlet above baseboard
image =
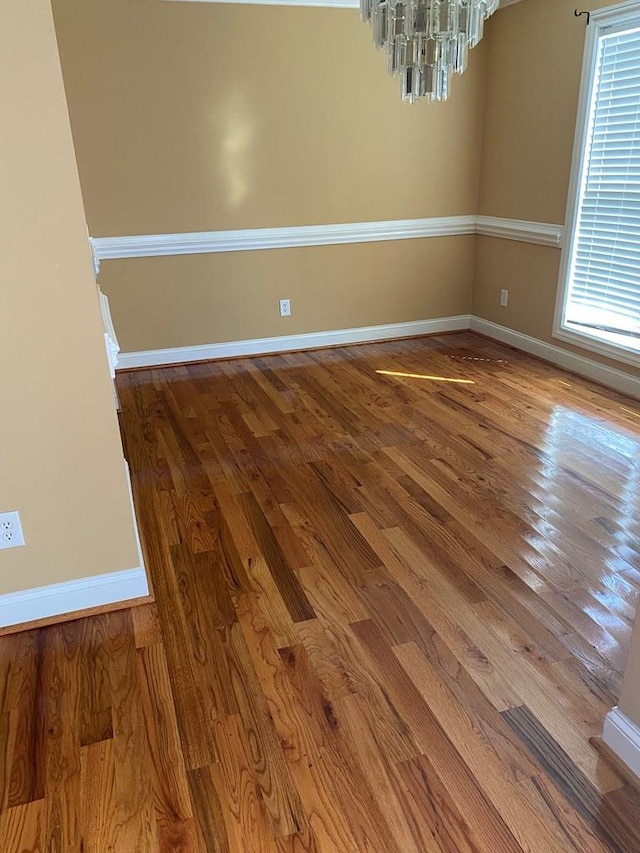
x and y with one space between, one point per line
60 454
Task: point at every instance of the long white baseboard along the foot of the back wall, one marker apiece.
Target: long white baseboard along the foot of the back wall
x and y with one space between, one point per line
288 343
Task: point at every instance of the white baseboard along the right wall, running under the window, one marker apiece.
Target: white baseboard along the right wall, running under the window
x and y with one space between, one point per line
609 376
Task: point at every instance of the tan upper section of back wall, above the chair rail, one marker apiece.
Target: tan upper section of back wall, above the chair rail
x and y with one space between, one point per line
205 116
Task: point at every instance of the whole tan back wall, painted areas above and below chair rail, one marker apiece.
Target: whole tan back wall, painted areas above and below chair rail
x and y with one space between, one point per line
194 116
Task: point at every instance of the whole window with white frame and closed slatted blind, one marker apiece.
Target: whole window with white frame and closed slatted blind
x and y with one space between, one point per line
599 293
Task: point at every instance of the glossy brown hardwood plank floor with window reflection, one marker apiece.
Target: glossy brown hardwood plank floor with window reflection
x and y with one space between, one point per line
394 593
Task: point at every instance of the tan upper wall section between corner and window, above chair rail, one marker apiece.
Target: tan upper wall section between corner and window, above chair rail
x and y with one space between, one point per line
533 76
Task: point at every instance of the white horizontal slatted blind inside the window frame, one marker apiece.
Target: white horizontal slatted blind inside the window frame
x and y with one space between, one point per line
603 297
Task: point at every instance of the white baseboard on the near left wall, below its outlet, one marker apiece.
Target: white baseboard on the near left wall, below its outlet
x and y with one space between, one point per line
74 596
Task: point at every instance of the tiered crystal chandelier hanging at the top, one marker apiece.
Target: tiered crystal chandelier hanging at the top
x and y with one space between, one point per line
427 40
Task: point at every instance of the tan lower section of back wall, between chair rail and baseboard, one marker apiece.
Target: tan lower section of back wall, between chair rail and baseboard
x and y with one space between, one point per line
200 299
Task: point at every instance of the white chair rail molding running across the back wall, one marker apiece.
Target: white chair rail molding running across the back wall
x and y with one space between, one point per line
252 239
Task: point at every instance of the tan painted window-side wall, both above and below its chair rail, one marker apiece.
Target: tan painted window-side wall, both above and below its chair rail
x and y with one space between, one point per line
534 67
